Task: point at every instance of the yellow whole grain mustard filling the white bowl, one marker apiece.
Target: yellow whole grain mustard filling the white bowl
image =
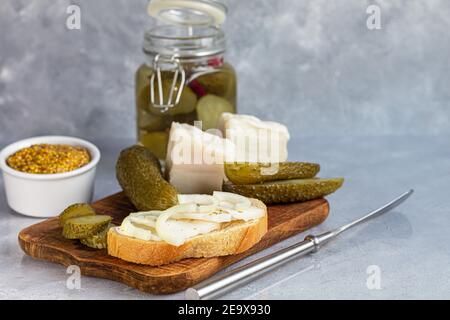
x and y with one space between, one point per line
49 158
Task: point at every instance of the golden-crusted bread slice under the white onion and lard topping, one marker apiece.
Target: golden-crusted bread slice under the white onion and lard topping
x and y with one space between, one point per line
233 238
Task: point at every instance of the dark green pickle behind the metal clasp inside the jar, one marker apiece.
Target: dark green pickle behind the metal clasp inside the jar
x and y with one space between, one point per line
188 99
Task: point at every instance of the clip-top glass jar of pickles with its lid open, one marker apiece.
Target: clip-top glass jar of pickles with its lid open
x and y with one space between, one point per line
185 77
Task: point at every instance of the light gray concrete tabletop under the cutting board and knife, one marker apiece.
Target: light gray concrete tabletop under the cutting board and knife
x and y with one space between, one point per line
410 245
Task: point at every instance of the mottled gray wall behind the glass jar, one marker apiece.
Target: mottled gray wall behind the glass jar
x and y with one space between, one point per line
313 65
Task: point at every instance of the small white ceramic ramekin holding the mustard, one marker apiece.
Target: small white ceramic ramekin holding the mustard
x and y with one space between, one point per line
46 195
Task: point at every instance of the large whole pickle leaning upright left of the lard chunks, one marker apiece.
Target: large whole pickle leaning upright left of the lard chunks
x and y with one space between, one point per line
139 174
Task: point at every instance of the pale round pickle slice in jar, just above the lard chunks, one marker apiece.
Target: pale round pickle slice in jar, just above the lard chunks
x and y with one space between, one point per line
210 108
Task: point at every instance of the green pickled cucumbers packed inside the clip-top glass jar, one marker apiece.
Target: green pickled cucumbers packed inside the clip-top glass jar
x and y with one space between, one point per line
209 91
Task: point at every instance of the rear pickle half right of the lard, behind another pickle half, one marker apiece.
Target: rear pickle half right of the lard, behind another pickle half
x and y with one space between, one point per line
249 173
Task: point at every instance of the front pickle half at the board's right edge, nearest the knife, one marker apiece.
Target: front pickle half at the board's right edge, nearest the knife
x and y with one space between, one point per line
286 191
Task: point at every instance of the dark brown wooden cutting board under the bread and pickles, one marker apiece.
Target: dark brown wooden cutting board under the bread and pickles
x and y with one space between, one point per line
44 241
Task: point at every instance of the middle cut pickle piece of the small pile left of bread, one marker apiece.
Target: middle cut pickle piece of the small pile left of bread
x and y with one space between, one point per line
84 227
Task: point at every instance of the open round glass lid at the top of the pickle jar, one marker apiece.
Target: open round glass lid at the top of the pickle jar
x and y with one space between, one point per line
188 12
